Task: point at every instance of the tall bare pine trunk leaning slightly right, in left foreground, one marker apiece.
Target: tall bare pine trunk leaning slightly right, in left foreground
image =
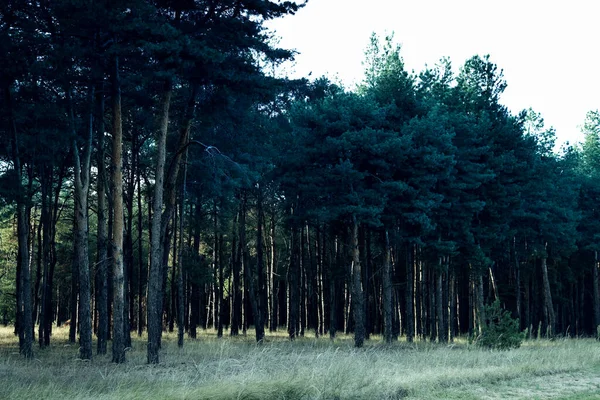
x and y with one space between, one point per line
154 307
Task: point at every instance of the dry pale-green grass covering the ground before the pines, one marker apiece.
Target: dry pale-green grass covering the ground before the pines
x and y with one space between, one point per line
308 368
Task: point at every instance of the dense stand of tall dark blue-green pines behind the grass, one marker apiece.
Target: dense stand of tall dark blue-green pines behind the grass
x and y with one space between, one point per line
154 175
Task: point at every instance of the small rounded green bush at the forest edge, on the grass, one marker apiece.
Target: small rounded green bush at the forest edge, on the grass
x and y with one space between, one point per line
501 331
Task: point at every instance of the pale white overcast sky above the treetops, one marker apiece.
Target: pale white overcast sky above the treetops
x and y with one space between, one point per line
548 50
